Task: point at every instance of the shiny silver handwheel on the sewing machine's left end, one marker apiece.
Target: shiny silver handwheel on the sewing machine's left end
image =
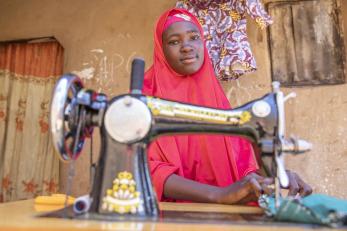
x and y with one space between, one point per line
64 117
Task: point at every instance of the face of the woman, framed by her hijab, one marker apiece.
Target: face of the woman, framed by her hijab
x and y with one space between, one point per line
183 47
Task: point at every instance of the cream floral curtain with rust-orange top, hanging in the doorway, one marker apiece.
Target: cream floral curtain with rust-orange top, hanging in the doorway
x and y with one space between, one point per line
28 165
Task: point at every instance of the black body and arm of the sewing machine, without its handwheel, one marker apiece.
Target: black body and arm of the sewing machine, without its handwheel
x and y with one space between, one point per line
122 124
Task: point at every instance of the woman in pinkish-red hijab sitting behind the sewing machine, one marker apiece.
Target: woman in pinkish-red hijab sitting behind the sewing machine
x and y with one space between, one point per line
200 168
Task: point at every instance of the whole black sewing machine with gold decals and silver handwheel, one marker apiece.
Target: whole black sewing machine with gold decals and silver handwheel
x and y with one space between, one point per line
128 123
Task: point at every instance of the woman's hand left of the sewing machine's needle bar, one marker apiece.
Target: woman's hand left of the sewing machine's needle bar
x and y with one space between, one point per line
249 188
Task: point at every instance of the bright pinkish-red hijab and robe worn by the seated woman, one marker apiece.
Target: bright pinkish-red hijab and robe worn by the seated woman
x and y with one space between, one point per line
211 159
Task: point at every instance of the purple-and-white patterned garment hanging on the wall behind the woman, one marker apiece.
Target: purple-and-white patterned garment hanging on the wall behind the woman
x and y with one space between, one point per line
224 23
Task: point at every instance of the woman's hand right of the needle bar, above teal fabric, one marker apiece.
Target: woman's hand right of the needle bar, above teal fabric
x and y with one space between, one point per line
297 186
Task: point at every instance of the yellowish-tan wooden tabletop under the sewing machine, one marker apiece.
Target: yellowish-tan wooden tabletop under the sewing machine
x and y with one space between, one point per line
21 215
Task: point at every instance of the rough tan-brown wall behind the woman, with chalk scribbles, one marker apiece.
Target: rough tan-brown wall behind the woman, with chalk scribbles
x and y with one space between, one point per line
101 37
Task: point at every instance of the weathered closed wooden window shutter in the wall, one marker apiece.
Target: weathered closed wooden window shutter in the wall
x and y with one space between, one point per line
306 42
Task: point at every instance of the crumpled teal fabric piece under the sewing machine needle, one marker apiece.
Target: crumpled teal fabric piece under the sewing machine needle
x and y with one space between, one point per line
314 209
